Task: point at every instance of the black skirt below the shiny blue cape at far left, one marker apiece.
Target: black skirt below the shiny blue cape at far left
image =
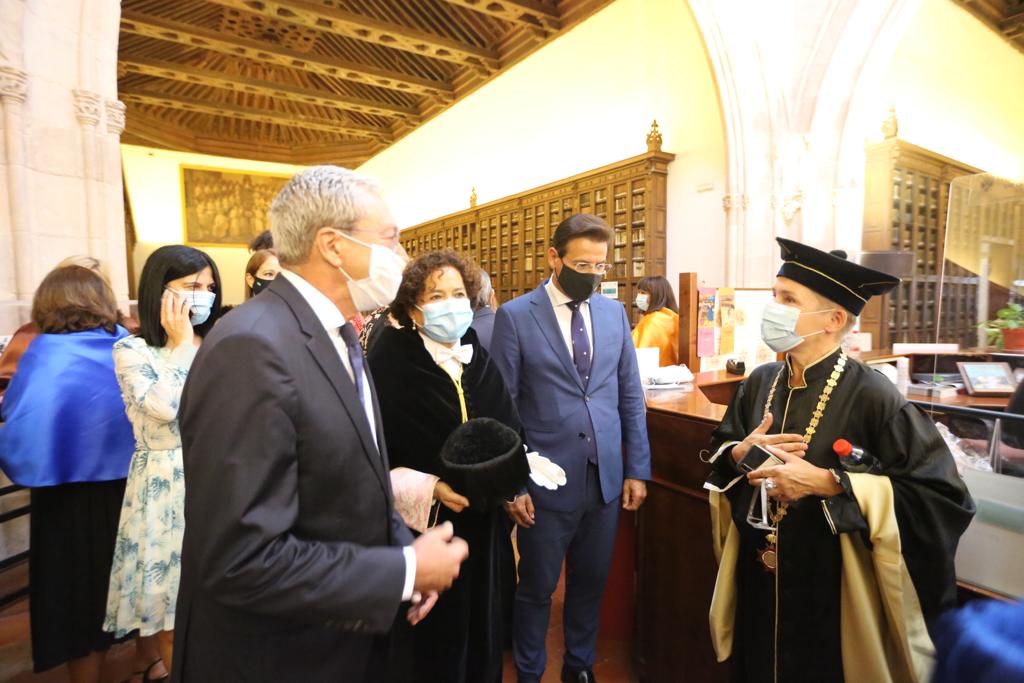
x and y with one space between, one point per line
73 532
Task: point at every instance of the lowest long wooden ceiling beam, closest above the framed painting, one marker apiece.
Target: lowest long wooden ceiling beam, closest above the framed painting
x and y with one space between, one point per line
285 119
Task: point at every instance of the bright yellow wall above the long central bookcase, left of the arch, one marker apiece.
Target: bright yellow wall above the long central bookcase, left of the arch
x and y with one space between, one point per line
582 102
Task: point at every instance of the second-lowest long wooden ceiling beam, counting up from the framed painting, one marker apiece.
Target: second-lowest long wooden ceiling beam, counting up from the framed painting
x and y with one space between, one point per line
219 79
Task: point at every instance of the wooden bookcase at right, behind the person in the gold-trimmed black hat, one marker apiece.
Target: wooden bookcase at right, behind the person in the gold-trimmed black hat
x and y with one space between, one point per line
907 198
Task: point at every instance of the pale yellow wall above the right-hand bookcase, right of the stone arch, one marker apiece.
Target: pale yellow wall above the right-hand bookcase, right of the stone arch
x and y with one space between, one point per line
959 91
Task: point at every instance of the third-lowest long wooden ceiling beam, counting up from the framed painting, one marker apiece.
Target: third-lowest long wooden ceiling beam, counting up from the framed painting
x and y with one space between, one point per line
185 34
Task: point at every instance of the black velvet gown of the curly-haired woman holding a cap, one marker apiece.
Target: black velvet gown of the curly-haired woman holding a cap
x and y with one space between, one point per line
462 639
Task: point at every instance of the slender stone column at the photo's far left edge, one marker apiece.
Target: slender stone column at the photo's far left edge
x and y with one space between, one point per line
16 241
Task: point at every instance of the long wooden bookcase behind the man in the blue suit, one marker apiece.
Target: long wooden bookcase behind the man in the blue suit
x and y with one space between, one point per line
510 237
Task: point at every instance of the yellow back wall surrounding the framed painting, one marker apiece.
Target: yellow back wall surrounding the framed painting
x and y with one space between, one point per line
153 179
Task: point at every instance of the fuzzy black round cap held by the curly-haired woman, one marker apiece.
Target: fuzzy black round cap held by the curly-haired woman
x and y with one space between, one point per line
485 461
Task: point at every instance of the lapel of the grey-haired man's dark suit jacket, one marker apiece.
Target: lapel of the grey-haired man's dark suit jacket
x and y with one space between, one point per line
326 356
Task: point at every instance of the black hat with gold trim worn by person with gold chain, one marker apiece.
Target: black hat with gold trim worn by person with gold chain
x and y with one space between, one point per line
831 275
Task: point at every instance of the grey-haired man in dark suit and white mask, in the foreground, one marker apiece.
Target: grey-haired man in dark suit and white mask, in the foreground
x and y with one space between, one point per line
294 559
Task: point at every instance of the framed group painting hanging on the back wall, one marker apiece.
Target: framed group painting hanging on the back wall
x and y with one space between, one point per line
225 208
